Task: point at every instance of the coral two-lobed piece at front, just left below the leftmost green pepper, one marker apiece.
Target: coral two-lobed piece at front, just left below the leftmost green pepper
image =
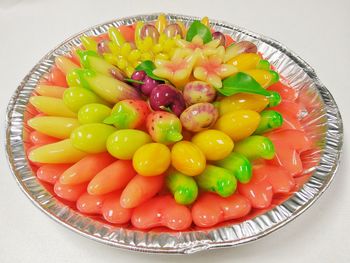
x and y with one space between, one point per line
161 211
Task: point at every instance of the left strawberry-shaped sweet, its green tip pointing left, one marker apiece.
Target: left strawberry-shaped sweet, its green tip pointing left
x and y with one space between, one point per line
128 114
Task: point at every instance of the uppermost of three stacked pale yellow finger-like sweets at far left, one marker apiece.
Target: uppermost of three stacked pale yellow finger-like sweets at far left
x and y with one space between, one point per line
51 106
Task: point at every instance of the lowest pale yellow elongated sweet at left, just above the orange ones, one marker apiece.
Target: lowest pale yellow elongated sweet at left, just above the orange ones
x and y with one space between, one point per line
59 152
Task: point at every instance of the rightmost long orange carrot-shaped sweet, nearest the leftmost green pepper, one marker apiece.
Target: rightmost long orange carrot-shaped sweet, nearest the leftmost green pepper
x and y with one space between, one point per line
140 189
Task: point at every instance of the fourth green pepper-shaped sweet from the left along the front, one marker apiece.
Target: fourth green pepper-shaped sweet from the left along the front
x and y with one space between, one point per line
255 147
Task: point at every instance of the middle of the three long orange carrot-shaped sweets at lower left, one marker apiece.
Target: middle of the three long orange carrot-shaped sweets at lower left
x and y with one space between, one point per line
114 177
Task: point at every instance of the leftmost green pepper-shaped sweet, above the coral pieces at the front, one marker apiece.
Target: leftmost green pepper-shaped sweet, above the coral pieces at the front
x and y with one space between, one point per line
183 187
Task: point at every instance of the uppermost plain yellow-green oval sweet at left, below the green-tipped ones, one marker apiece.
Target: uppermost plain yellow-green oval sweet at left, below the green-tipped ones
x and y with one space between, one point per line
76 97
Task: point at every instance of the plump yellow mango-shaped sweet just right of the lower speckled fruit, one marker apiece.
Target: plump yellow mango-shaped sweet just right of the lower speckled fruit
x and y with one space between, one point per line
238 124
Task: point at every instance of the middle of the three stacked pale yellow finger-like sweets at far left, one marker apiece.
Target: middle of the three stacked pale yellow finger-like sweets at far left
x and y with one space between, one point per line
58 127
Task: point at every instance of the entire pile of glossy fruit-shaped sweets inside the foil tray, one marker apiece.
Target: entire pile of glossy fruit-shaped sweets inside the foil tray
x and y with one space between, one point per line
162 125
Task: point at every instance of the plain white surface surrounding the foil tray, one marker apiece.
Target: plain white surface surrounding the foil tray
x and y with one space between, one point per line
319 31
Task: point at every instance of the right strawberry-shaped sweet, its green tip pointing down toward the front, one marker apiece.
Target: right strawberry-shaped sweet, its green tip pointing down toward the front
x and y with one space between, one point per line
164 127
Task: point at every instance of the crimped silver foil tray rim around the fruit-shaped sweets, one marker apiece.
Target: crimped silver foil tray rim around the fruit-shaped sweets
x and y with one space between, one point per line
321 120
